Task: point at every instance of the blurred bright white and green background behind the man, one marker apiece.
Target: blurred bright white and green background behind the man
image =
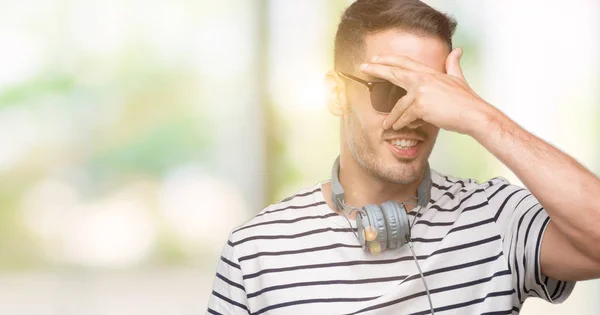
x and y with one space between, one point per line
134 135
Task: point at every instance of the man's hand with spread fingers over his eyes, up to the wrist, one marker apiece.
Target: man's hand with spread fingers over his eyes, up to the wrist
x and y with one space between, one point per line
442 99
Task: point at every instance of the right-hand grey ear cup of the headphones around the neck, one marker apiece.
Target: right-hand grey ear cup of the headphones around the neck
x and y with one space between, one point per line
396 219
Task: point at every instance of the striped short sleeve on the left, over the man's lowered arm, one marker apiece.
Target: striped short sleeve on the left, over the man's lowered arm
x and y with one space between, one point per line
228 296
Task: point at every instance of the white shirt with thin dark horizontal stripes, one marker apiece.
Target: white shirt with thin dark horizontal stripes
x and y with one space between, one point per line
478 245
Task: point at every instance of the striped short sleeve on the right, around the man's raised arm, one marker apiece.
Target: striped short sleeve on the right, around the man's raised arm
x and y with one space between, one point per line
522 222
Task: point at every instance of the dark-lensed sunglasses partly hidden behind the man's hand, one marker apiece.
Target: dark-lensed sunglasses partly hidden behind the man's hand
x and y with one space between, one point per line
384 95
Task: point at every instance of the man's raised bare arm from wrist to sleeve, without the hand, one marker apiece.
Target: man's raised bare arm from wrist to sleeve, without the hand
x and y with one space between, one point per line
569 193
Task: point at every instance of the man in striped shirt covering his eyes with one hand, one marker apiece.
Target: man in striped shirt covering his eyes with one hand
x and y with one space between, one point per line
481 248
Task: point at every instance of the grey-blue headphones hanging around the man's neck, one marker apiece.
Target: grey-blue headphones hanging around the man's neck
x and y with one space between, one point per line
384 226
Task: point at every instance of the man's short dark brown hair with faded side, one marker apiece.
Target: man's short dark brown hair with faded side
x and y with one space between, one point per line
365 17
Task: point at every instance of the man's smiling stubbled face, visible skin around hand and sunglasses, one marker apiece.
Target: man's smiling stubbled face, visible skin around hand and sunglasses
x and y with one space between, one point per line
390 155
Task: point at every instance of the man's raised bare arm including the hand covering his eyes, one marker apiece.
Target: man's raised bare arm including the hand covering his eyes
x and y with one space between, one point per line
565 189
